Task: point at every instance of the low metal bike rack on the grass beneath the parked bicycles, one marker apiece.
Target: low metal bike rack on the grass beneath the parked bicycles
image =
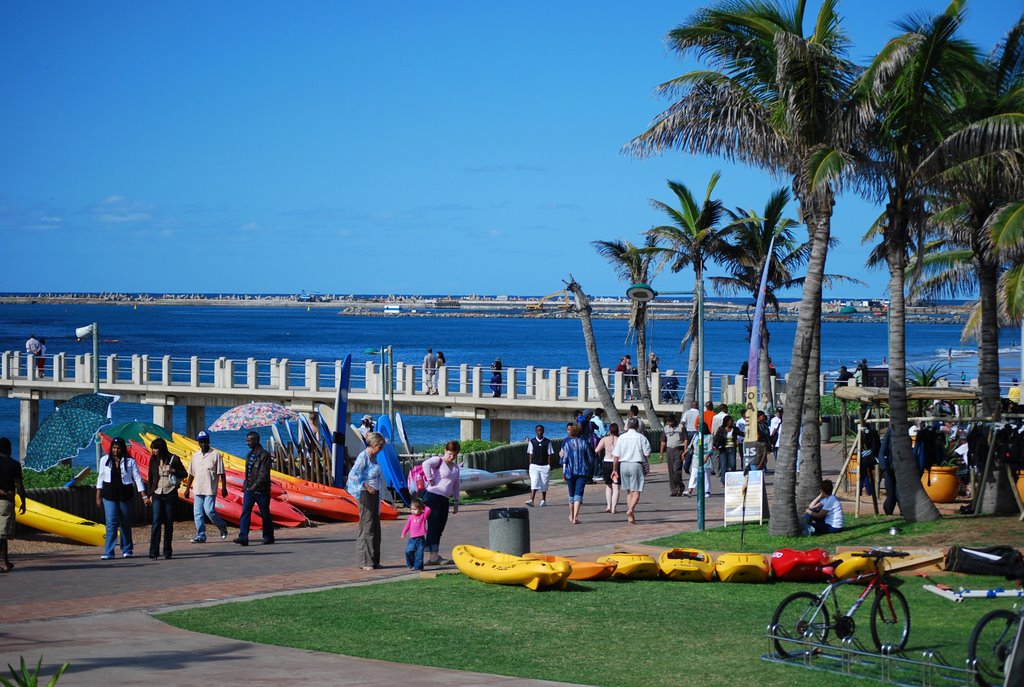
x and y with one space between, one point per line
852 659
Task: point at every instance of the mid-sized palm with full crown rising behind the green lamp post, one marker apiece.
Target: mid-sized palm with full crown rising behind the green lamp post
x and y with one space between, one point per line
694 239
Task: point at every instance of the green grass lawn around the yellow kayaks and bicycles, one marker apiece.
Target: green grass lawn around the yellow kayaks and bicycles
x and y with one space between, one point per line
633 634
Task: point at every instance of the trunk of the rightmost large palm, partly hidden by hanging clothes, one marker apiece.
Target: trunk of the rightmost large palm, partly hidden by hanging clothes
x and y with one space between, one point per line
998 498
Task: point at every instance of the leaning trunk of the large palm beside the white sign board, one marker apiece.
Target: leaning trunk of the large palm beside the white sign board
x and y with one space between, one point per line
816 208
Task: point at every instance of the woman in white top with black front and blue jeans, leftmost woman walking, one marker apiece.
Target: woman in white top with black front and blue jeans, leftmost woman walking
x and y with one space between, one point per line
116 485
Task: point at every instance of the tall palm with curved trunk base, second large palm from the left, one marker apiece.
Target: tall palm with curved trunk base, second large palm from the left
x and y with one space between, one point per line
918 91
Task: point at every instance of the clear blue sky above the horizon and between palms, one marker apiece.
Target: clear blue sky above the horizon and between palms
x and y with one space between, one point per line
358 148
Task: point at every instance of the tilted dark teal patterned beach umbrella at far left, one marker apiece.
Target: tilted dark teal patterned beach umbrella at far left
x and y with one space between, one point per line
72 427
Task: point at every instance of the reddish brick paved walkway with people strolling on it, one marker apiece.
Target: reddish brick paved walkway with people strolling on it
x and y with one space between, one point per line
96 615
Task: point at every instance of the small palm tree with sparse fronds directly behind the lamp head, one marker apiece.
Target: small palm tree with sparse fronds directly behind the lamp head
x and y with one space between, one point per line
633 265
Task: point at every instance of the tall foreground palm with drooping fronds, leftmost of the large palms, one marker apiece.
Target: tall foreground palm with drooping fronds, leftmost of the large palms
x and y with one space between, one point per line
775 98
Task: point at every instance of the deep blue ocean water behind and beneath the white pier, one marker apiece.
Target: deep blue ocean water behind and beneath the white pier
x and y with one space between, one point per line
322 334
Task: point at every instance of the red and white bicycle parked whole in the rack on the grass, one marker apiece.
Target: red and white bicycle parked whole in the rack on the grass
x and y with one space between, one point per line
807 615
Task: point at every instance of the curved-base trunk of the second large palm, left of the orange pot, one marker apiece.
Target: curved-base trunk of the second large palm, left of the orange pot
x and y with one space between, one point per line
914 502
